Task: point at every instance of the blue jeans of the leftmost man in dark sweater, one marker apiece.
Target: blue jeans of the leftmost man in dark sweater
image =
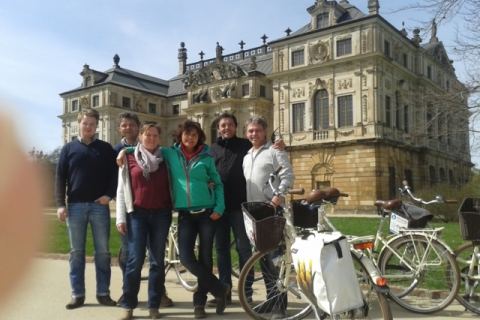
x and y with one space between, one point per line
79 216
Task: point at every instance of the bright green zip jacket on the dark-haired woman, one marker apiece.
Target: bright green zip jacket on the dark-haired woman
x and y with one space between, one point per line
190 181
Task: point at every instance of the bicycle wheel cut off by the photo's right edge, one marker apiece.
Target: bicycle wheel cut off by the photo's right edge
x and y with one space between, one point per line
469 292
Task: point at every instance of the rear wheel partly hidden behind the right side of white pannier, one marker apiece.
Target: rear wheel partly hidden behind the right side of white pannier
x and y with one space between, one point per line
376 303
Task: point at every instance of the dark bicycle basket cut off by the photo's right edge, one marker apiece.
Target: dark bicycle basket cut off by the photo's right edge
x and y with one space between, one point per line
469 218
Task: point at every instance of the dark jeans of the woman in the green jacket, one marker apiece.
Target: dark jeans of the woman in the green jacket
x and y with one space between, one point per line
189 226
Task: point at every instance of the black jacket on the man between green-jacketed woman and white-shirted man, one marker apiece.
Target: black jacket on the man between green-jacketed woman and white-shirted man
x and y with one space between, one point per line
228 155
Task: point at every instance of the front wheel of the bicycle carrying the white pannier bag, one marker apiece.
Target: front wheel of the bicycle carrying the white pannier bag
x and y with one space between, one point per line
279 301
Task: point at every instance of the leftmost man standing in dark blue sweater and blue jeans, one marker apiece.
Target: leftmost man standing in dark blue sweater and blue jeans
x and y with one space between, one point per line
85 183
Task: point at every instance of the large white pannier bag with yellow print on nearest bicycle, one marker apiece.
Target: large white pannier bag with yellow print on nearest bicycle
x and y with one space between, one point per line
325 272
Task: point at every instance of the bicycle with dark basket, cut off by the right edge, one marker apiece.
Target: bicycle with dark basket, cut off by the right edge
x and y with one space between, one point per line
468 255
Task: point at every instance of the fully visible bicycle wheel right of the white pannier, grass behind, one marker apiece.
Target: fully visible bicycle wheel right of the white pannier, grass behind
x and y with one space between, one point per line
432 280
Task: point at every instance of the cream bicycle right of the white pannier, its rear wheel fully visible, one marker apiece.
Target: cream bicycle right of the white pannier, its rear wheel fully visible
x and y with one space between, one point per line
420 268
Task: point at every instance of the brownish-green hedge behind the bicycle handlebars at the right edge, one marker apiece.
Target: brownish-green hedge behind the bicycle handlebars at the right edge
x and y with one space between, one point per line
449 212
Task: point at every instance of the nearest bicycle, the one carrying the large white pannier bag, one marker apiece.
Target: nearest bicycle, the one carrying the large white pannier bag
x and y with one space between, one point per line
280 284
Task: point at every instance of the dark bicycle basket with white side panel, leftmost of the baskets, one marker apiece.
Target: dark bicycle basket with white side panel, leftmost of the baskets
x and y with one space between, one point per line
264 228
